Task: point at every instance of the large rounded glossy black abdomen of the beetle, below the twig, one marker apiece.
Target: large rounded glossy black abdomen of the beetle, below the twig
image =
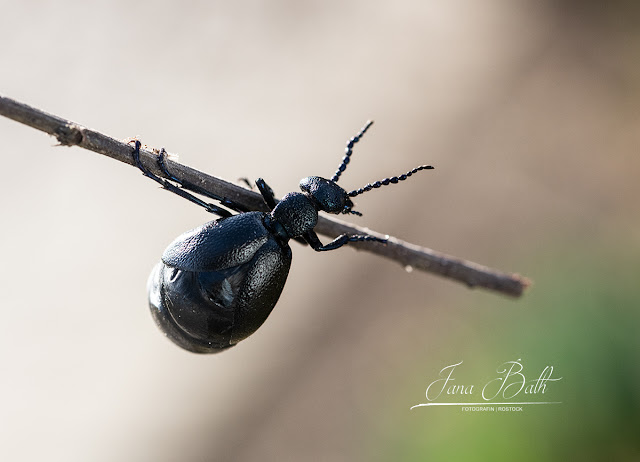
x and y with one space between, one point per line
209 311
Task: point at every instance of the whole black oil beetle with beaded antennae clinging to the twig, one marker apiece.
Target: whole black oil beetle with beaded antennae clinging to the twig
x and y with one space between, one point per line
218 283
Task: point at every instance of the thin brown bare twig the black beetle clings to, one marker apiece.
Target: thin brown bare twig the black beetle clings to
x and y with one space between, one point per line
409 255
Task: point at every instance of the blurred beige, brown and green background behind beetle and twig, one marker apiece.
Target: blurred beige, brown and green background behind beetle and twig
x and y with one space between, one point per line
528 109
